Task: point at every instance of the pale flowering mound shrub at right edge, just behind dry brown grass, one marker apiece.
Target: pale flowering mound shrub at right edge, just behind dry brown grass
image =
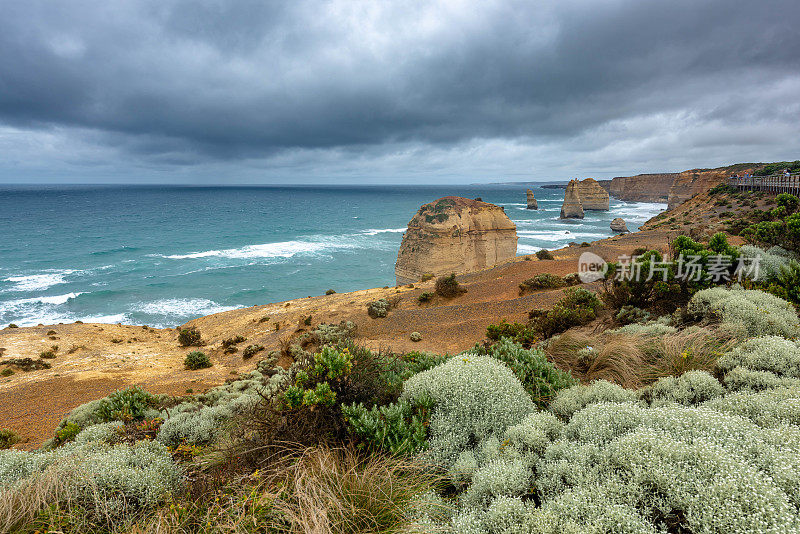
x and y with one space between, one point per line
753 312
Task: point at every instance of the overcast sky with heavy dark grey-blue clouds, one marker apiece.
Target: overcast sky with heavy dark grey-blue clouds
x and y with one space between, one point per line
345 91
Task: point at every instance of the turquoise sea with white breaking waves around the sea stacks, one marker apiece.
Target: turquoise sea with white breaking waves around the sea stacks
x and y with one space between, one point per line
162 255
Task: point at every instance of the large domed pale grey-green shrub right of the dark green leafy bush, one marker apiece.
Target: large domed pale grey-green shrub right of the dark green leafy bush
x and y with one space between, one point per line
474 397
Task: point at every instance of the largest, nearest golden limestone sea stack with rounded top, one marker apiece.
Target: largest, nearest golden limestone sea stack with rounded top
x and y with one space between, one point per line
455 235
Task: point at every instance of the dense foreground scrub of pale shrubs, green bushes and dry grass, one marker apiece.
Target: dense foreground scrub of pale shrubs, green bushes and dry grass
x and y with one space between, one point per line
653 418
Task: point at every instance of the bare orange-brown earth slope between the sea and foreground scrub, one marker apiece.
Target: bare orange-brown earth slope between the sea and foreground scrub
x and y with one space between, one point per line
93 360
